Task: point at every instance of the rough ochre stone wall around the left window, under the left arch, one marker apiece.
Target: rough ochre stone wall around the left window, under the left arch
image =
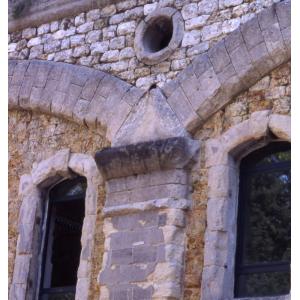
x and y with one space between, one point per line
34 137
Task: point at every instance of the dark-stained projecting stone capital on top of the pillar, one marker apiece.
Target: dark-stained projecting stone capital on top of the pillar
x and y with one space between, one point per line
123 161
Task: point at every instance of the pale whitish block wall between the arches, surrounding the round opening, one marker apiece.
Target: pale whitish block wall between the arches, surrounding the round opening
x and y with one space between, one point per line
104 38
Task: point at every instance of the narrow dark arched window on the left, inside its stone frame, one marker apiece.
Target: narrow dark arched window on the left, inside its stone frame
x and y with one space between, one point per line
61 246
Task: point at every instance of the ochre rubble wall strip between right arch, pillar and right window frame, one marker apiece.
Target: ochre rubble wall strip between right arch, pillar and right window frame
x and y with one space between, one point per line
270 93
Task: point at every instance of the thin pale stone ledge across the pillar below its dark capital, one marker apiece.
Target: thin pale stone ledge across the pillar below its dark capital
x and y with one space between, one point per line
183 204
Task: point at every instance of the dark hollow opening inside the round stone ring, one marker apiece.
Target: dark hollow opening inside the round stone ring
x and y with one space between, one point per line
158 35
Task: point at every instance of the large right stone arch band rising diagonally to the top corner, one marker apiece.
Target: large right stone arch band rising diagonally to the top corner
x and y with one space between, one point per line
231 66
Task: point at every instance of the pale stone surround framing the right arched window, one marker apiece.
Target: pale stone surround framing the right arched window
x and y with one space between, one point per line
222 160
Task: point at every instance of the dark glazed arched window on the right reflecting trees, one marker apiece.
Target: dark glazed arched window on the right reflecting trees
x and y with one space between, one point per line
262 265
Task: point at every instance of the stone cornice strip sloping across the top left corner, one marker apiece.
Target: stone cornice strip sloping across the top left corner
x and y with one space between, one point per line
53 10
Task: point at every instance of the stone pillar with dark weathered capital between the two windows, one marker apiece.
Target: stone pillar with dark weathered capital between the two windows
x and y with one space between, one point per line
147 188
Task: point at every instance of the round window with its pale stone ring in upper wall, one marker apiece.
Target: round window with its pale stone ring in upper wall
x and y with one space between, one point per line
158 35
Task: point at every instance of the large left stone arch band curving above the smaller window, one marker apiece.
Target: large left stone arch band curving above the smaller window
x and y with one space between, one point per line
77 93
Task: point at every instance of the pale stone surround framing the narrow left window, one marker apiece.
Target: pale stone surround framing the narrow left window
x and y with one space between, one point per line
42 176
